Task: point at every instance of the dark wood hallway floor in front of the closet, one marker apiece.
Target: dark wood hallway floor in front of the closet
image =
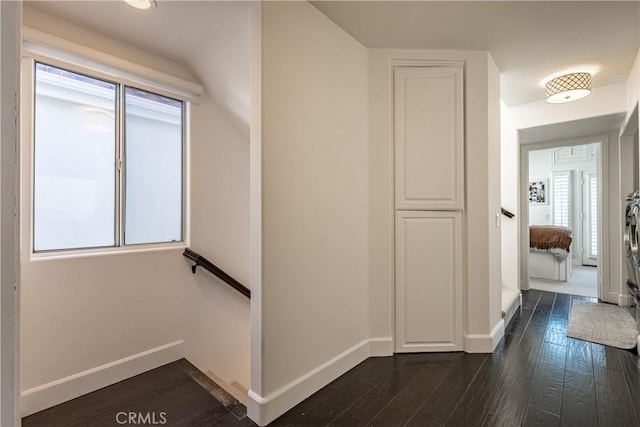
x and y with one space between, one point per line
536 377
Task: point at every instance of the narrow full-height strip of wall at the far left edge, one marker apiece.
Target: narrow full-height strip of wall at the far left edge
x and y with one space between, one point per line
10 16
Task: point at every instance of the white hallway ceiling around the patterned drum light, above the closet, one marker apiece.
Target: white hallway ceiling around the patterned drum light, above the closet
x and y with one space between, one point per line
528 40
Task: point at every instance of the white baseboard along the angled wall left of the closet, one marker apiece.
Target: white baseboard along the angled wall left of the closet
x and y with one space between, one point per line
264 409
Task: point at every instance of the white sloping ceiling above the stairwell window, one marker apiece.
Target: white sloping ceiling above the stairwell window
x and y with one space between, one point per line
210 39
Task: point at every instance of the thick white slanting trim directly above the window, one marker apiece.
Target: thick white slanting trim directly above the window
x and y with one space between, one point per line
41 45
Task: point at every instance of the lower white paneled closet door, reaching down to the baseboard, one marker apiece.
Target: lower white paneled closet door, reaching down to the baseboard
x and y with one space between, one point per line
429 281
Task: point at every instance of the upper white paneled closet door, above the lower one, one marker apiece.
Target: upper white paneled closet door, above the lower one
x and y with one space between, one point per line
429 138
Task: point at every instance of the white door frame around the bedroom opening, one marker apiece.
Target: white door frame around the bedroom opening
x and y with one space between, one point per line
603 232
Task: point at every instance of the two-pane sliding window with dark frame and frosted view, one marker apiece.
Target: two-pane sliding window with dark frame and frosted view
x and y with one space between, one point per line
108 163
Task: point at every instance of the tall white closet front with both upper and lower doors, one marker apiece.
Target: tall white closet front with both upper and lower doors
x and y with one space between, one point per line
429 203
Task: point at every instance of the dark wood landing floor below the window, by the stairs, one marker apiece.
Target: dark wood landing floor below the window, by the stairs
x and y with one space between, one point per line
176 394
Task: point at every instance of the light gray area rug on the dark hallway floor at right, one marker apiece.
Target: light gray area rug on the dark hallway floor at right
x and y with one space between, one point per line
603 324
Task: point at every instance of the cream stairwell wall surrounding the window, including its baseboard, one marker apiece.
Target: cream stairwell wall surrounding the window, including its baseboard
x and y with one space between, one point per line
90 321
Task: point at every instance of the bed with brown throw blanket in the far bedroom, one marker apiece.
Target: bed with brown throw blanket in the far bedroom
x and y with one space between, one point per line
550 252
